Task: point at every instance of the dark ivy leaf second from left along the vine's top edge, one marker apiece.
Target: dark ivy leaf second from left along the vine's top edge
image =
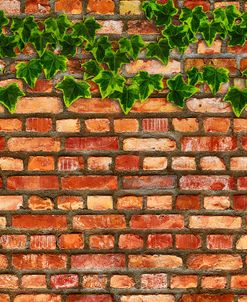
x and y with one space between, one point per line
24 28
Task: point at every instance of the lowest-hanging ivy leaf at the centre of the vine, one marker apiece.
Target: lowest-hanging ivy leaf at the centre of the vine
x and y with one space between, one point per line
127 98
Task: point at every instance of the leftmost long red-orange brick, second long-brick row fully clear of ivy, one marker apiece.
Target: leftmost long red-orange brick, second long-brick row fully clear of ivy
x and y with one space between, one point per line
32 183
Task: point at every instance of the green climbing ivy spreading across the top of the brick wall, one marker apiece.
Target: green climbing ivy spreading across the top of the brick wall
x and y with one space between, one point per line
57 38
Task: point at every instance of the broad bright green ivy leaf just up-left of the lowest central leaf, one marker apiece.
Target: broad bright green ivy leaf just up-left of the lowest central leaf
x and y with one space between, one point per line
109 82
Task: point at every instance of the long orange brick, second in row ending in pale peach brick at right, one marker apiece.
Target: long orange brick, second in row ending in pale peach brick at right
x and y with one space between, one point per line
88 222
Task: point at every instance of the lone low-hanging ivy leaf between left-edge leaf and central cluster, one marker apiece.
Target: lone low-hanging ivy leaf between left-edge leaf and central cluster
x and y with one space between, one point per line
73 90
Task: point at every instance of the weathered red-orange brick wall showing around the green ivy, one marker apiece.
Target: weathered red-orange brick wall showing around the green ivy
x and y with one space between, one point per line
100 207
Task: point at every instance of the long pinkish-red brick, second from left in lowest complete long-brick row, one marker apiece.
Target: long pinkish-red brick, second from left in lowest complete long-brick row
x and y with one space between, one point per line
98 261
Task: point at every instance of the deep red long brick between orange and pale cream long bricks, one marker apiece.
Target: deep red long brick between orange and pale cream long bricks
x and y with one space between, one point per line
91 143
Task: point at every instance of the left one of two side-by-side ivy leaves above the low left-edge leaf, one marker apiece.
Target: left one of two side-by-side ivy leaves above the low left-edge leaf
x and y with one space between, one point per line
29 72
